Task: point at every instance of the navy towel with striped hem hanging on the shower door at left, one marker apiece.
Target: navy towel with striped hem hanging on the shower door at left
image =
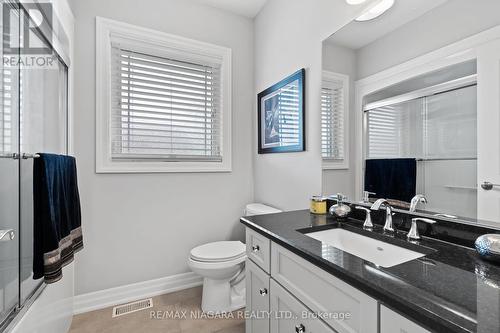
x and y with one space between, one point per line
57 216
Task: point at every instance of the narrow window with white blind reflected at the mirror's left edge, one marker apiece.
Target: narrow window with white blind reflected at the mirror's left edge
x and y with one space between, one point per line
334 116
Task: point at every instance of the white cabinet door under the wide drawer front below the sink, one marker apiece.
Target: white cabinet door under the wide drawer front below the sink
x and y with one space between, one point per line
288 315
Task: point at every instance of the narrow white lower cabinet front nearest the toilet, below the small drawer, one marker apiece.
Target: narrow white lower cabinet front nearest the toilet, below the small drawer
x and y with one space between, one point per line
257 293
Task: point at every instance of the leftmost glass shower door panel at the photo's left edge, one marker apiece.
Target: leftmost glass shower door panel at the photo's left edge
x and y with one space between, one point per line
9 181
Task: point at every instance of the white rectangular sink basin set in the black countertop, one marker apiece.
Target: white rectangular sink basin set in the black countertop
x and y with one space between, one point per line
378 252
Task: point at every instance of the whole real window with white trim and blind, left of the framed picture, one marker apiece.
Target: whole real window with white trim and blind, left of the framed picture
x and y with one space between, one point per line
165 104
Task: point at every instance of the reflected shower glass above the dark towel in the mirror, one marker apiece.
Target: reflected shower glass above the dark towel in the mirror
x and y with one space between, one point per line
440 126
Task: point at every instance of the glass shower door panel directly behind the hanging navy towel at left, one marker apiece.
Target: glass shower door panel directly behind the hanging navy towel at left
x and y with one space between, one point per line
43 129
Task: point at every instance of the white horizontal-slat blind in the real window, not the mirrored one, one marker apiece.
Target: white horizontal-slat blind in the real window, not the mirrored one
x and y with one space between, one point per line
164 108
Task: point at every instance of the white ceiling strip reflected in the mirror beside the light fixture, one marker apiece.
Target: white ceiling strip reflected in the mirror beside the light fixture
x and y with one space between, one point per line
355 35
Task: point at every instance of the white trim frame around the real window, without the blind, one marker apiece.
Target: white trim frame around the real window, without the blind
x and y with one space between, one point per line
155 43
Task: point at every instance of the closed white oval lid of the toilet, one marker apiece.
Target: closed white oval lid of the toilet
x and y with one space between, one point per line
219 251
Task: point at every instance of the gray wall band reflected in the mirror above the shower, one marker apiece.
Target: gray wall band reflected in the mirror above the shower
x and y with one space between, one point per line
449 23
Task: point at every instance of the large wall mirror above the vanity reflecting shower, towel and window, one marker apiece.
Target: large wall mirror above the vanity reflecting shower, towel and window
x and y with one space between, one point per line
396 119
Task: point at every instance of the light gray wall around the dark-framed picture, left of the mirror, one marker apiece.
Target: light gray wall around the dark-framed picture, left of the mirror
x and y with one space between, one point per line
288 180
